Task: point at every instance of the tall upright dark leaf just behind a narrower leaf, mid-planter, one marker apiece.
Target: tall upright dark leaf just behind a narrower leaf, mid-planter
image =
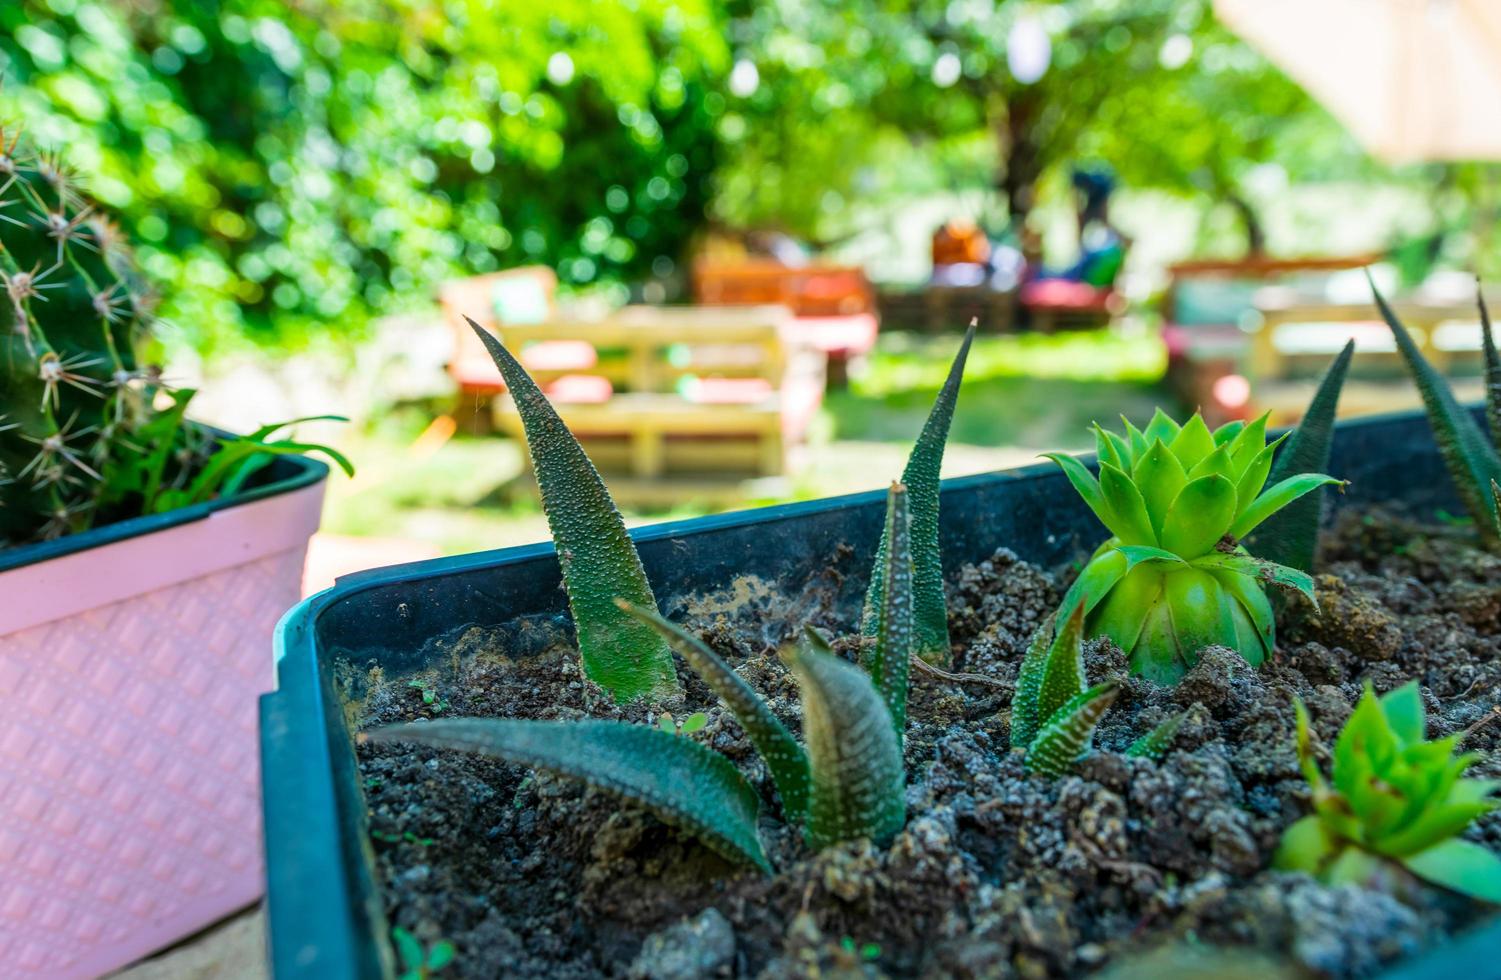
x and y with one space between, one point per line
921 478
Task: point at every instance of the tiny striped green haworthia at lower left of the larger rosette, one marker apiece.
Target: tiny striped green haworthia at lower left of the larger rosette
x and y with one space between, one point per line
1053 714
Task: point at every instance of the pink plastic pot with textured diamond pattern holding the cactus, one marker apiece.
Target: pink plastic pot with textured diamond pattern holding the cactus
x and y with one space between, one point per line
130 783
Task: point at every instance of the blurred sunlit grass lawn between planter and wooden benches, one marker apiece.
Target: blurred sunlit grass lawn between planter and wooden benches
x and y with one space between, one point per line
1023 395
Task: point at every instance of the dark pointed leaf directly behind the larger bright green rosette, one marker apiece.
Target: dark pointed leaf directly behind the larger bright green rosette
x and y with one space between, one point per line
1292 537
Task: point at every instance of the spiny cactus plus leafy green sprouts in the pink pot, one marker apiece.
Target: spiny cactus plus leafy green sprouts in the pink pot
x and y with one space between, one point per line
83 440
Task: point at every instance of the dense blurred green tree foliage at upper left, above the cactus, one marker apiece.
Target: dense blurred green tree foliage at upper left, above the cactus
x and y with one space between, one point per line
311 163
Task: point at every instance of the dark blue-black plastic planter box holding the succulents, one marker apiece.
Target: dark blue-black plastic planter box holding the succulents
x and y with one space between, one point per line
326 916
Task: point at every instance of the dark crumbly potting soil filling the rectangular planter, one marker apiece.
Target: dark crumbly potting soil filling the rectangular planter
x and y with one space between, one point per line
997 874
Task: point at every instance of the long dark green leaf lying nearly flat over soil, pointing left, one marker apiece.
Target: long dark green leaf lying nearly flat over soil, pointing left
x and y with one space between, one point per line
684 783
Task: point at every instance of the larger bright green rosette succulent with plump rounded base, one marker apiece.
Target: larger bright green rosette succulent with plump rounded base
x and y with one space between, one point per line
1173 577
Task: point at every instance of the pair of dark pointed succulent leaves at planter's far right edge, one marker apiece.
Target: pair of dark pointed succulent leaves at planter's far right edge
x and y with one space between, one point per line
1473 461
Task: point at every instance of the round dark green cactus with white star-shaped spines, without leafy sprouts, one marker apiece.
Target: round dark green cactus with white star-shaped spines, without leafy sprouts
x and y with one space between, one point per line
71 316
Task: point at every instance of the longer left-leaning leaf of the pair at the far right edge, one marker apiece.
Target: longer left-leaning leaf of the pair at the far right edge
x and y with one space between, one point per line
1470 457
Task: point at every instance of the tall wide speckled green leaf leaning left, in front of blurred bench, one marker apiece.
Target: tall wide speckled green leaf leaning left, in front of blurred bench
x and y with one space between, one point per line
600 562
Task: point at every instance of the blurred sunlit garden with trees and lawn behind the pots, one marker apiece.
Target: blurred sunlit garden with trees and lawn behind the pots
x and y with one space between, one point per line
304 178
